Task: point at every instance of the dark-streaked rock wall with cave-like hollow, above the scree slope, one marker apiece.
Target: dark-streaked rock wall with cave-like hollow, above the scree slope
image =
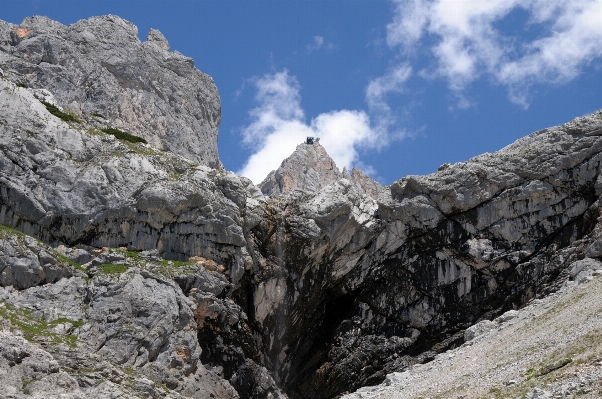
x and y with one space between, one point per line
369 287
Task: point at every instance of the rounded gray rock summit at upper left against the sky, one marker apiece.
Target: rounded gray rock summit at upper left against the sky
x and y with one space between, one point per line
99 66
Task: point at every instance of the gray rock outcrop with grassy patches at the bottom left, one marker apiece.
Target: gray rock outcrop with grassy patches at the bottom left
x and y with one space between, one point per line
130 326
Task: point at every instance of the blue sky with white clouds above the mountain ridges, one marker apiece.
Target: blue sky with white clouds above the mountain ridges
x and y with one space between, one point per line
394 87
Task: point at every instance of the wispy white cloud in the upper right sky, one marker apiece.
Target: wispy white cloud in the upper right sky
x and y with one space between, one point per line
466 44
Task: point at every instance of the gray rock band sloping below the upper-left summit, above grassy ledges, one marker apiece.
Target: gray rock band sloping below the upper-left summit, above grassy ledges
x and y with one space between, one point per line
74 184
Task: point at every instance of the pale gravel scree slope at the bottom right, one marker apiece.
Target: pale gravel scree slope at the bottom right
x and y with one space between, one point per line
551 348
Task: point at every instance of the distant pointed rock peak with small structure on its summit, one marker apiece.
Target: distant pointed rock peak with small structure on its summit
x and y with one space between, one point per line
310 168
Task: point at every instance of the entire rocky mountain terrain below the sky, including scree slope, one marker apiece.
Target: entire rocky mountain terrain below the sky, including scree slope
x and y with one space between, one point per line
133 265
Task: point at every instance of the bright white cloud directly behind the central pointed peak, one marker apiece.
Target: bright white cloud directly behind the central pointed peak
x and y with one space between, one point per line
278 126
